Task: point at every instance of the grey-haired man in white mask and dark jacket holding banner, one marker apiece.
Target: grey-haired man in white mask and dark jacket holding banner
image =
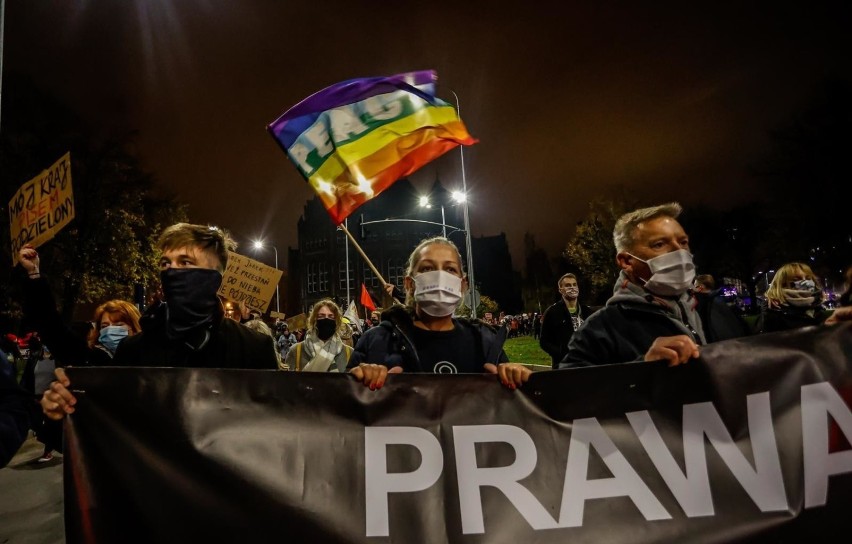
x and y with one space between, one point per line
651 315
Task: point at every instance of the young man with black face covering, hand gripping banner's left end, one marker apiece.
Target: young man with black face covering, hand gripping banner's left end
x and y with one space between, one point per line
189 328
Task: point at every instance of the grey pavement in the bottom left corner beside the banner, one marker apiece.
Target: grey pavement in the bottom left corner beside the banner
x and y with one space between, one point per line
31 498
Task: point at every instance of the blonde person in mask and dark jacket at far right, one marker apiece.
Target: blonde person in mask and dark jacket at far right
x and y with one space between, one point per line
794 299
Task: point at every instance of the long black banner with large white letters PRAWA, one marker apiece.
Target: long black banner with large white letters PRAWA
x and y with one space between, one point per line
748 444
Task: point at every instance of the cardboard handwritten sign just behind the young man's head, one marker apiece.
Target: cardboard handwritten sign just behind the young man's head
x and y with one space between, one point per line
249 281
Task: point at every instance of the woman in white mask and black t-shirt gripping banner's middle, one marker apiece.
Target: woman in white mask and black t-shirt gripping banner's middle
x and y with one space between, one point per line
423 335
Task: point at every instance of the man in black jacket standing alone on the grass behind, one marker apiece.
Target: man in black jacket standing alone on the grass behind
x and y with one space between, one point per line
562 319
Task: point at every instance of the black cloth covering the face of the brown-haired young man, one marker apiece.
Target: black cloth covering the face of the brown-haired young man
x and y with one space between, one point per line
191 300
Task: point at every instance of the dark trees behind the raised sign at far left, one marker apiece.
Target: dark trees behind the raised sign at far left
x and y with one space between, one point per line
107 249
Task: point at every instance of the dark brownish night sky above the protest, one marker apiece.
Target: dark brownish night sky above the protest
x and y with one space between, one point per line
569 101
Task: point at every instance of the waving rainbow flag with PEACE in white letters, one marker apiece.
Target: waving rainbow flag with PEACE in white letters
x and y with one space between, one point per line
353 140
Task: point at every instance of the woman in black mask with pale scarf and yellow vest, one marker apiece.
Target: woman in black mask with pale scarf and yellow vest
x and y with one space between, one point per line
323 349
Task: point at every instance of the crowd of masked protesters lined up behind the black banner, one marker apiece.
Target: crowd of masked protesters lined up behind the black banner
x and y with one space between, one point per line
659 310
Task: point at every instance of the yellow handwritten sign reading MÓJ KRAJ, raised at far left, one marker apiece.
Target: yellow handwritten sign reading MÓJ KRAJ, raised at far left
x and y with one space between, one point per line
42 206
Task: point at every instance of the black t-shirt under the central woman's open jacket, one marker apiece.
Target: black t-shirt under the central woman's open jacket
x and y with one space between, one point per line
448 352
